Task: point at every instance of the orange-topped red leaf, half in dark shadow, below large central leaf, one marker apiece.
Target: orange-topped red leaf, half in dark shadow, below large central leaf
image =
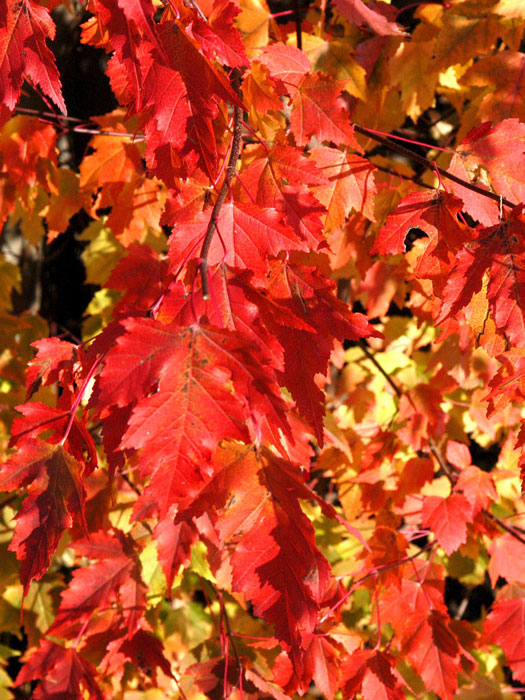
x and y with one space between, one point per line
252 503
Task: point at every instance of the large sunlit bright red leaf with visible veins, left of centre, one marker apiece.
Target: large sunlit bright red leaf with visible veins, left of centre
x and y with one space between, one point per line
193 387
